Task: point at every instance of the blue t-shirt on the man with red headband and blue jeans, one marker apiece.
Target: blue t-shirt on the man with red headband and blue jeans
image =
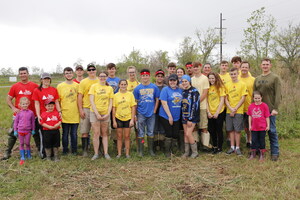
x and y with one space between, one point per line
146 96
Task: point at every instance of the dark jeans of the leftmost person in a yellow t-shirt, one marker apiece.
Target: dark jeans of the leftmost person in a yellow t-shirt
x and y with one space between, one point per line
69 129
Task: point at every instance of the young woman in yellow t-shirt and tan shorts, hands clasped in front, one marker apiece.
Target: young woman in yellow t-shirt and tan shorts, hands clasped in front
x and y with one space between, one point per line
101 97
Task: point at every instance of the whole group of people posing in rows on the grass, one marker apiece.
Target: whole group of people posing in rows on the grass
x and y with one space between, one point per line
181 105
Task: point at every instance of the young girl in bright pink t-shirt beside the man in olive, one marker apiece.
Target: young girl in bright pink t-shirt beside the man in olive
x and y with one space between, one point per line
259 123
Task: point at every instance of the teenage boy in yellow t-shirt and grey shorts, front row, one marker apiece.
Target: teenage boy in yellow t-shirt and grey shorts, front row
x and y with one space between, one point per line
236 92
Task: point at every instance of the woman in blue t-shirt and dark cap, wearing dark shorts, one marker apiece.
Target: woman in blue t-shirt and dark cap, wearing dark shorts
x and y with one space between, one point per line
169 112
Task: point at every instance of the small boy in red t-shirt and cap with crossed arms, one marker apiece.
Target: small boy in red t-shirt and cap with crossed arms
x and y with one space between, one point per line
51 122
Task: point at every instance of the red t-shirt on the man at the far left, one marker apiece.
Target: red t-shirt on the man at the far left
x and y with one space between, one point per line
19 90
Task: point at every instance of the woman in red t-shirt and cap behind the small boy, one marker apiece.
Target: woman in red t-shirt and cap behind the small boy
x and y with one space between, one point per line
42 94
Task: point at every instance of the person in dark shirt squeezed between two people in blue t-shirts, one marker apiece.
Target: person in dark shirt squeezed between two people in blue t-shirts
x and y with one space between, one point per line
159 132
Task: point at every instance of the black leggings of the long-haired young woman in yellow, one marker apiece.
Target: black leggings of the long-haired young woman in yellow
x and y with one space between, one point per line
215 128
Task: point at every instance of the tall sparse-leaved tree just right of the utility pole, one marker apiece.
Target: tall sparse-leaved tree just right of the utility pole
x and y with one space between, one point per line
258 36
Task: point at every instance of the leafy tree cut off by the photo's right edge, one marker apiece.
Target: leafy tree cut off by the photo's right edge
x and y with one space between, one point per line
288 48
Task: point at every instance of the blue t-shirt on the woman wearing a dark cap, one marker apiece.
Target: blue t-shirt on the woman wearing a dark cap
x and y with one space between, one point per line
173 97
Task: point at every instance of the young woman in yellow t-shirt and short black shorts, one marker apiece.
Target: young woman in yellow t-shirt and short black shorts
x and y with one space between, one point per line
123 116
